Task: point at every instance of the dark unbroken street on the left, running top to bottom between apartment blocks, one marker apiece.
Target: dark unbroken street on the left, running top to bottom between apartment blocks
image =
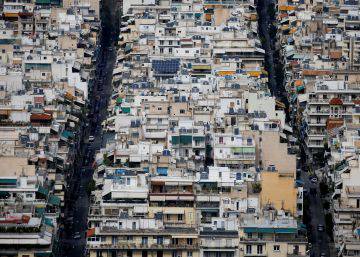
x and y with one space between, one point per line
72 240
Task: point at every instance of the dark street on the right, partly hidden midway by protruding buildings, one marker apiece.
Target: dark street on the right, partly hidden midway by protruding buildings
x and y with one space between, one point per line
318 239
